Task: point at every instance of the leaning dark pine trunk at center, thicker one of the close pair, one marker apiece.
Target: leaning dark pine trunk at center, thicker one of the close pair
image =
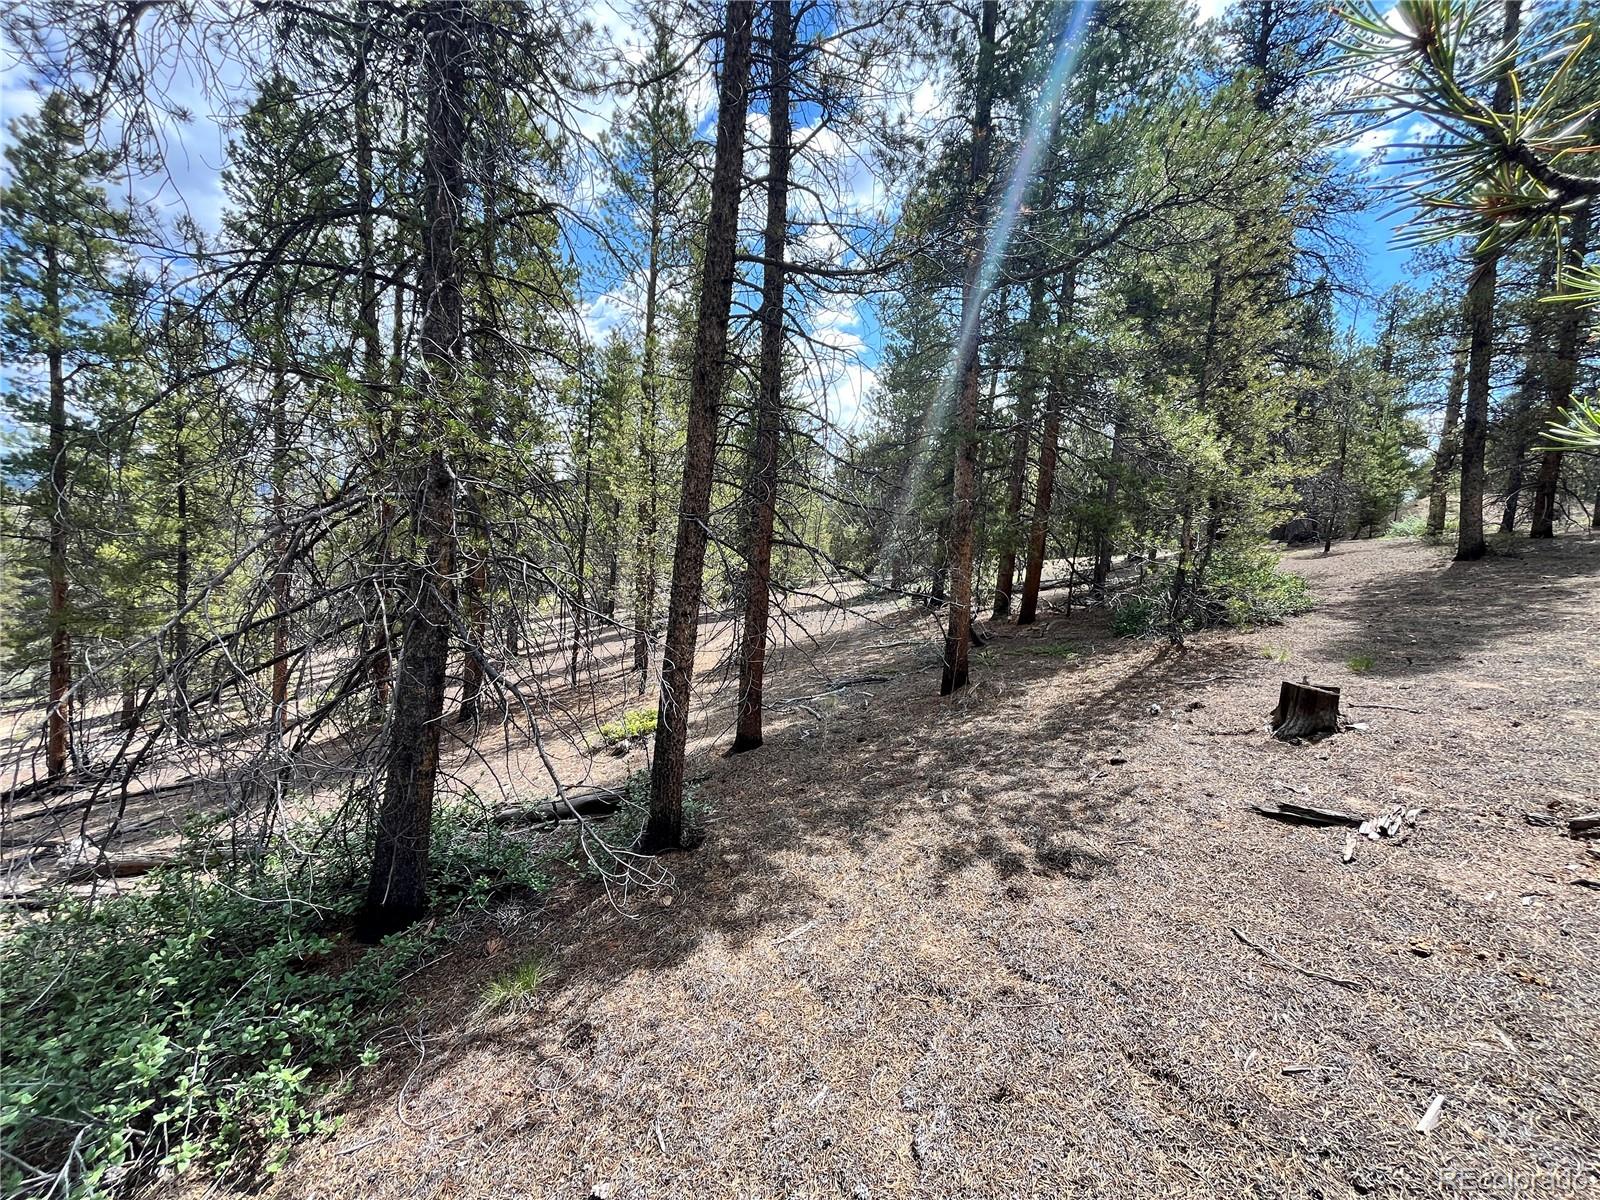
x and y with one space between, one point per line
665 826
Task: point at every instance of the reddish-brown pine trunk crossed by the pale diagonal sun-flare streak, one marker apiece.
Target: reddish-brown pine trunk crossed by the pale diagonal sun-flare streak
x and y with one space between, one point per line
964 498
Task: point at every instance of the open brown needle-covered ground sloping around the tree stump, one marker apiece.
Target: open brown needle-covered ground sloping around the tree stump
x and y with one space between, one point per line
998 946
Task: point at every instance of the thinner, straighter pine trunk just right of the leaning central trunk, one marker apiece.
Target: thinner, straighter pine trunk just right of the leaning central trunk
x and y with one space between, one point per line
764 454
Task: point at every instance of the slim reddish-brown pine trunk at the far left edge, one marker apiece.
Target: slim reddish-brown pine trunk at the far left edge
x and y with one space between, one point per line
58 737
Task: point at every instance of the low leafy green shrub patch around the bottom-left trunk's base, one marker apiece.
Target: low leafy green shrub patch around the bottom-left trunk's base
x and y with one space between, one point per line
186 1023
